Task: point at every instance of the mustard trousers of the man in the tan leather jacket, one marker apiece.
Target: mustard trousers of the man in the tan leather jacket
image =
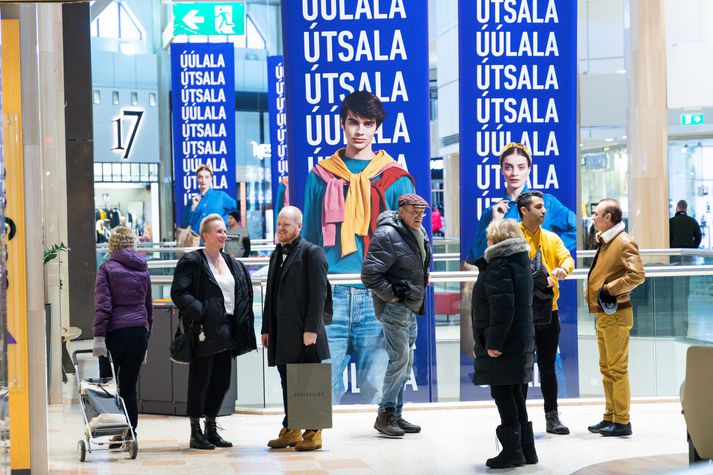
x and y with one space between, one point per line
613 341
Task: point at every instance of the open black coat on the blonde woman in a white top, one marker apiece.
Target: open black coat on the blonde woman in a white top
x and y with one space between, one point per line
200 302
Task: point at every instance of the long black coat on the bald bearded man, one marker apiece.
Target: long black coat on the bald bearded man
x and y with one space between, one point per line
303 298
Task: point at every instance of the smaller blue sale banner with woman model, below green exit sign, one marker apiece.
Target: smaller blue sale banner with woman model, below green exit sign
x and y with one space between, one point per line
203 105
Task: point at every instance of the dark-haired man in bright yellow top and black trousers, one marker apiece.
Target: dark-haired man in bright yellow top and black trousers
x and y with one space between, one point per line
552 262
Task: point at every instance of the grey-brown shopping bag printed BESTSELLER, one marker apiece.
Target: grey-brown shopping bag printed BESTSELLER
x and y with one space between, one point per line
309 396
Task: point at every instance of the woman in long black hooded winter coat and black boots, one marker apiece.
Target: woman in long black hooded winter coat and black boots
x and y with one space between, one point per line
504 337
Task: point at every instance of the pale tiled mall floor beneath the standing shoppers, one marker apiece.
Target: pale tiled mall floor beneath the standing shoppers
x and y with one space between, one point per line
453 441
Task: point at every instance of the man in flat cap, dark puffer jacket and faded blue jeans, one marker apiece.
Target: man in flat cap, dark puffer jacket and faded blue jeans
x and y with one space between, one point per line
396 270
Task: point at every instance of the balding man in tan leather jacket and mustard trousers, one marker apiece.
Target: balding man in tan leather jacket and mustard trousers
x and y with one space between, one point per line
615 272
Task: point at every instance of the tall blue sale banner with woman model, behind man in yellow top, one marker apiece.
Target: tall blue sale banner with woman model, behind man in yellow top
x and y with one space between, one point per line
518 83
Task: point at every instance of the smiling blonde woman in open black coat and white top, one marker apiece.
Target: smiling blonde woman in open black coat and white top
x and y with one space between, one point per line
213 292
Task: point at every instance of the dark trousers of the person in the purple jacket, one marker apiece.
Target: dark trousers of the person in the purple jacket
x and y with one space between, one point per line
128 348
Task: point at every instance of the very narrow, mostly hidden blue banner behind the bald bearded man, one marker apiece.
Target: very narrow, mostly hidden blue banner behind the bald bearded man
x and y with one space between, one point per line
277 109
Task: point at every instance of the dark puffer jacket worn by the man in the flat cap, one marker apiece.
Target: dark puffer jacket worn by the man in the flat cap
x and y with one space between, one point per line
394 265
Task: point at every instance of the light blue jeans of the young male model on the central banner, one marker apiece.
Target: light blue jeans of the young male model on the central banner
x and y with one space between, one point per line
356 334
